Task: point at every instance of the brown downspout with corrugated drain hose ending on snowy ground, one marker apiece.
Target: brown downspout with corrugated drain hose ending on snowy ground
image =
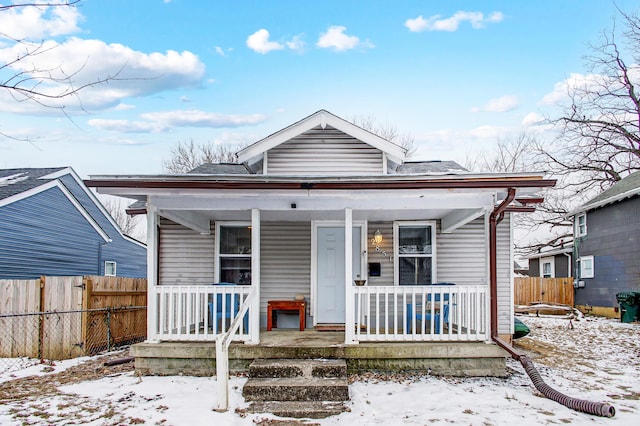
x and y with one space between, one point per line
595 408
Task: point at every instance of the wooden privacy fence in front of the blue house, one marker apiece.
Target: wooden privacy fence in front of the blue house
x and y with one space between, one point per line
66 317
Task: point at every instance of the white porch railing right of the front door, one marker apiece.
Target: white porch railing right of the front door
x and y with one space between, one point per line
420 313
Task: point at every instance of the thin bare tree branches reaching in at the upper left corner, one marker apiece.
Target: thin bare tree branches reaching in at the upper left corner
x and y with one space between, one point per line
25 81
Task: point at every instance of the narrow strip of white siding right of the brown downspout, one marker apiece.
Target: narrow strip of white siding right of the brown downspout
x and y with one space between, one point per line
505 267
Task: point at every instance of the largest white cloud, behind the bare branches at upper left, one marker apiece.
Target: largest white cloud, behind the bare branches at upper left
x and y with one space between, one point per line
131 73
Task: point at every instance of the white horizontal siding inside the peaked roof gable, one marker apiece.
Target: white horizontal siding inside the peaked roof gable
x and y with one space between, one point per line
324 152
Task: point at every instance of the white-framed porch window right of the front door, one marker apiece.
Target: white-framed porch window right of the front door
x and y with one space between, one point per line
415 252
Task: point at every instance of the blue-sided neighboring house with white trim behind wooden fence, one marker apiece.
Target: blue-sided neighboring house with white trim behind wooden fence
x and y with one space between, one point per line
51 224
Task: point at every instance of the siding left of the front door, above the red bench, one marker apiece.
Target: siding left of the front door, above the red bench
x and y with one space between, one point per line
285 262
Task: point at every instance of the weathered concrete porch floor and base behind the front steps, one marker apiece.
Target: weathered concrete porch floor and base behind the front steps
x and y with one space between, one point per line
442 358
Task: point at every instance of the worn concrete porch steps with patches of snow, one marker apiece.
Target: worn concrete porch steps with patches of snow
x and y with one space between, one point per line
300 388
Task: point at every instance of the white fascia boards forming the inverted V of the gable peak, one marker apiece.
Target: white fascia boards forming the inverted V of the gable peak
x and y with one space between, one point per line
322 118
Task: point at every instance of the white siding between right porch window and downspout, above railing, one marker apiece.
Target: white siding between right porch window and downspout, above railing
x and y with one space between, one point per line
462 255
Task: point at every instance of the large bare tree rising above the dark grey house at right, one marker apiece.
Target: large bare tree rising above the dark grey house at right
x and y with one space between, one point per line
598 142
